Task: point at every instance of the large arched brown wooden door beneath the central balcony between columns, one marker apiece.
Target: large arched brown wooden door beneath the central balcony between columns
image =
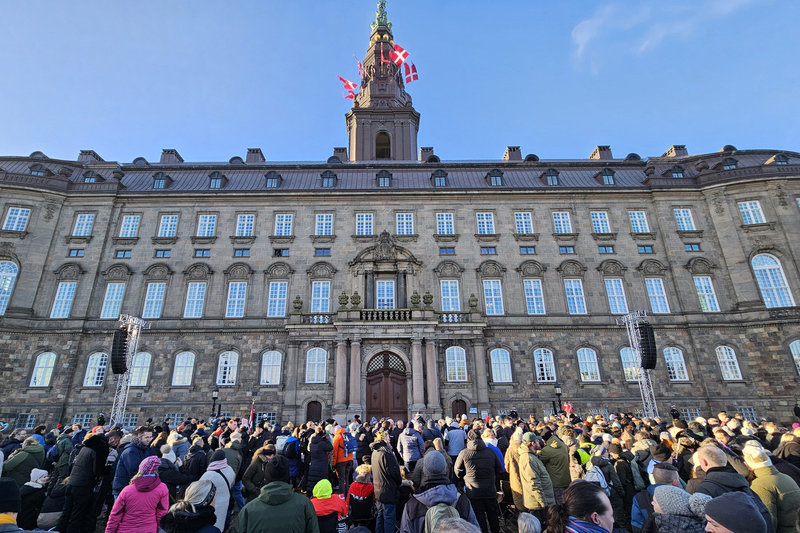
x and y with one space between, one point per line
386 387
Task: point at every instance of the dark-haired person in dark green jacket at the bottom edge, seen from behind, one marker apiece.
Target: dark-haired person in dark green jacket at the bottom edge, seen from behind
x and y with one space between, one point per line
278 509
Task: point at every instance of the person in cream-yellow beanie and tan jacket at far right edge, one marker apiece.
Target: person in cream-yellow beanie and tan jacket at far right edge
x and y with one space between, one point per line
779 493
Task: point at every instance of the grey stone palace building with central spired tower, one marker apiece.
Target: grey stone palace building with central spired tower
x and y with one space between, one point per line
385 281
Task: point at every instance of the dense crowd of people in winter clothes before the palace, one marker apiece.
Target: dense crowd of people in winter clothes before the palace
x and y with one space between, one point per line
504 473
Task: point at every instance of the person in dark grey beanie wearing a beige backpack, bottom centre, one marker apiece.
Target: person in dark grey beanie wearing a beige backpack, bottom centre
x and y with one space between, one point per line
437 500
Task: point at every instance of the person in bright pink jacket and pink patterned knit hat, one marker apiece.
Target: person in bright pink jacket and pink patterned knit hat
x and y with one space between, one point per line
141 505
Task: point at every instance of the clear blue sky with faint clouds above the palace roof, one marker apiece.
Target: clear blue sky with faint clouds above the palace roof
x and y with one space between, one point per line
212 79
